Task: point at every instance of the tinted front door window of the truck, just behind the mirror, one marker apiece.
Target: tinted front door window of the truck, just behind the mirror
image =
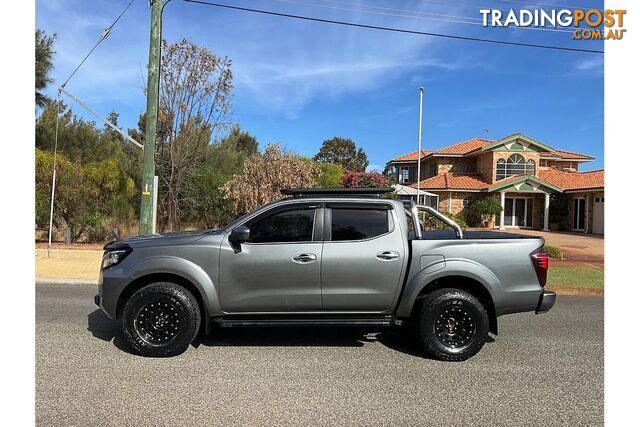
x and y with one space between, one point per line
294 225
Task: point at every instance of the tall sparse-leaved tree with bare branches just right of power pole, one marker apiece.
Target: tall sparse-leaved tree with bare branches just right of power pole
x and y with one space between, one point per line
195 101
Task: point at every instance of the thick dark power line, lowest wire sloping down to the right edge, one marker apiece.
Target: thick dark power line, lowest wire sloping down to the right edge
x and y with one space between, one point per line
391 29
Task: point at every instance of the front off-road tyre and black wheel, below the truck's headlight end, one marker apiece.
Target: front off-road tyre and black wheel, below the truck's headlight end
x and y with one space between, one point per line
161 320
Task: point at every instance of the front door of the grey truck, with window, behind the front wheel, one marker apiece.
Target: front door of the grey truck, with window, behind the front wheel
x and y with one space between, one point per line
279 268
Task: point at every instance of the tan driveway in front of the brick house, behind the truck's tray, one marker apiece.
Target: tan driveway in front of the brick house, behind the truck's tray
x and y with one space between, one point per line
578 248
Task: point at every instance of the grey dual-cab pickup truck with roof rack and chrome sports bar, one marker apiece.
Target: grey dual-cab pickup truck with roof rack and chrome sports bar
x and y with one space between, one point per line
325 257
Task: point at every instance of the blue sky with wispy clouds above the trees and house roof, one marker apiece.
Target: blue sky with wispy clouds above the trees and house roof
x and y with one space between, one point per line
299 83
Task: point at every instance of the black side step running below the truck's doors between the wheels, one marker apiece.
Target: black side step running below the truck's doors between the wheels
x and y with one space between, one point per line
233 321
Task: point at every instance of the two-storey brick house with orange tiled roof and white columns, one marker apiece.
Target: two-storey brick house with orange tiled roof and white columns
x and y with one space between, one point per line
539 186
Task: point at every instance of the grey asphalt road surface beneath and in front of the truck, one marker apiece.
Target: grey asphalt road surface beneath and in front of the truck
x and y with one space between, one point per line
541 370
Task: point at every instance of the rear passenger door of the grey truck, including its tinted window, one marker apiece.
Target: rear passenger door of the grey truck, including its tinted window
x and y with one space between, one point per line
362 257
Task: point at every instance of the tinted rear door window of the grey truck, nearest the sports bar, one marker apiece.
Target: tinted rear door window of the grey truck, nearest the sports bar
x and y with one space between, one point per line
358 224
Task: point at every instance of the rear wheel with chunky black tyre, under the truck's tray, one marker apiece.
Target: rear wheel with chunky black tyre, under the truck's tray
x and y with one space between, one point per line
452 325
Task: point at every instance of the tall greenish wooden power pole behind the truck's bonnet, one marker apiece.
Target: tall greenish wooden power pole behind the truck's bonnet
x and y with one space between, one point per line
153 82
